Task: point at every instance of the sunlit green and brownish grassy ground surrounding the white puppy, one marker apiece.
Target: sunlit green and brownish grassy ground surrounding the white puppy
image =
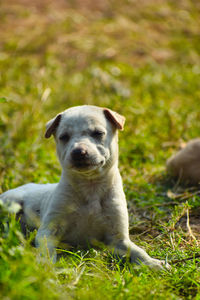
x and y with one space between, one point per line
142 59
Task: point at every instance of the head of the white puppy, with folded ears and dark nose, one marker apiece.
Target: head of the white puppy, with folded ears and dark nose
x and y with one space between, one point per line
86 138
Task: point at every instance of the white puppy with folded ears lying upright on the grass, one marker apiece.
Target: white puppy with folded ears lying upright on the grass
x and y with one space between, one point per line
88 205
